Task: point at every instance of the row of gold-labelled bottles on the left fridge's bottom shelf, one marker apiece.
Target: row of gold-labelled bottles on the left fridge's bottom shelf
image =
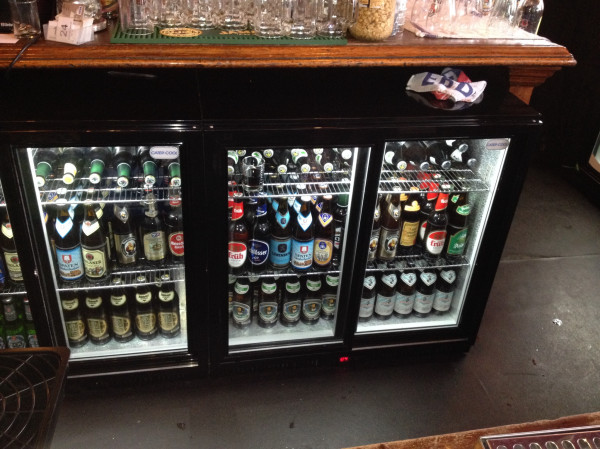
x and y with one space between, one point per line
122 313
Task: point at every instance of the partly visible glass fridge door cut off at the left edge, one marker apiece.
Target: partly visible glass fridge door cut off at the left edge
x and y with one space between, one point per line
17 328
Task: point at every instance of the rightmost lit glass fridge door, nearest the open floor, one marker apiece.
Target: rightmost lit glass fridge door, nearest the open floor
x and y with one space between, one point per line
433 204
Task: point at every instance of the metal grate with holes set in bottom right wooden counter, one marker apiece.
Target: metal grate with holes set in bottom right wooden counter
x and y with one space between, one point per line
572 438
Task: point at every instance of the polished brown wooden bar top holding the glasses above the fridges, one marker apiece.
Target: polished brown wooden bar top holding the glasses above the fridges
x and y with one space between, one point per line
530 62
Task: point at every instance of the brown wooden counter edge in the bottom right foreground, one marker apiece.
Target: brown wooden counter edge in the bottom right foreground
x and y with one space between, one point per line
470 439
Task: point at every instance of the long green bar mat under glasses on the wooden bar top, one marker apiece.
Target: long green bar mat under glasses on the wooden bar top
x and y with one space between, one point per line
215 37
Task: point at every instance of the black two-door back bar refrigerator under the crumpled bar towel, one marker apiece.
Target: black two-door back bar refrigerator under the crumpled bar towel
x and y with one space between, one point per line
320 198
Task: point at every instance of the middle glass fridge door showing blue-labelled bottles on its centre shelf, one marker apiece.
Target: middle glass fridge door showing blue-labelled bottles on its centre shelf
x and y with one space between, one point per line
288 211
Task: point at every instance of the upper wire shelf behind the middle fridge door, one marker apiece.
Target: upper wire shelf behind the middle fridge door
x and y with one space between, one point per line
331 183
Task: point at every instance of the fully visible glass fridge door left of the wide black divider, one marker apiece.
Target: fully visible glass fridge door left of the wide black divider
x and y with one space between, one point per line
115 238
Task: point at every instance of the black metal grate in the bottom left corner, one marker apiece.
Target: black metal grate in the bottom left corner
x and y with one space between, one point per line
31 384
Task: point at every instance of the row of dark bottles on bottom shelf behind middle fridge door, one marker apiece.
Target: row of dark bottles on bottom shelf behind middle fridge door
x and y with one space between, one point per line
287 300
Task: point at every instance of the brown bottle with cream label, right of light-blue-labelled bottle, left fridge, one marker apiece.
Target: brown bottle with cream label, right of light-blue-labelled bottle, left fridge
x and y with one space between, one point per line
93 247
